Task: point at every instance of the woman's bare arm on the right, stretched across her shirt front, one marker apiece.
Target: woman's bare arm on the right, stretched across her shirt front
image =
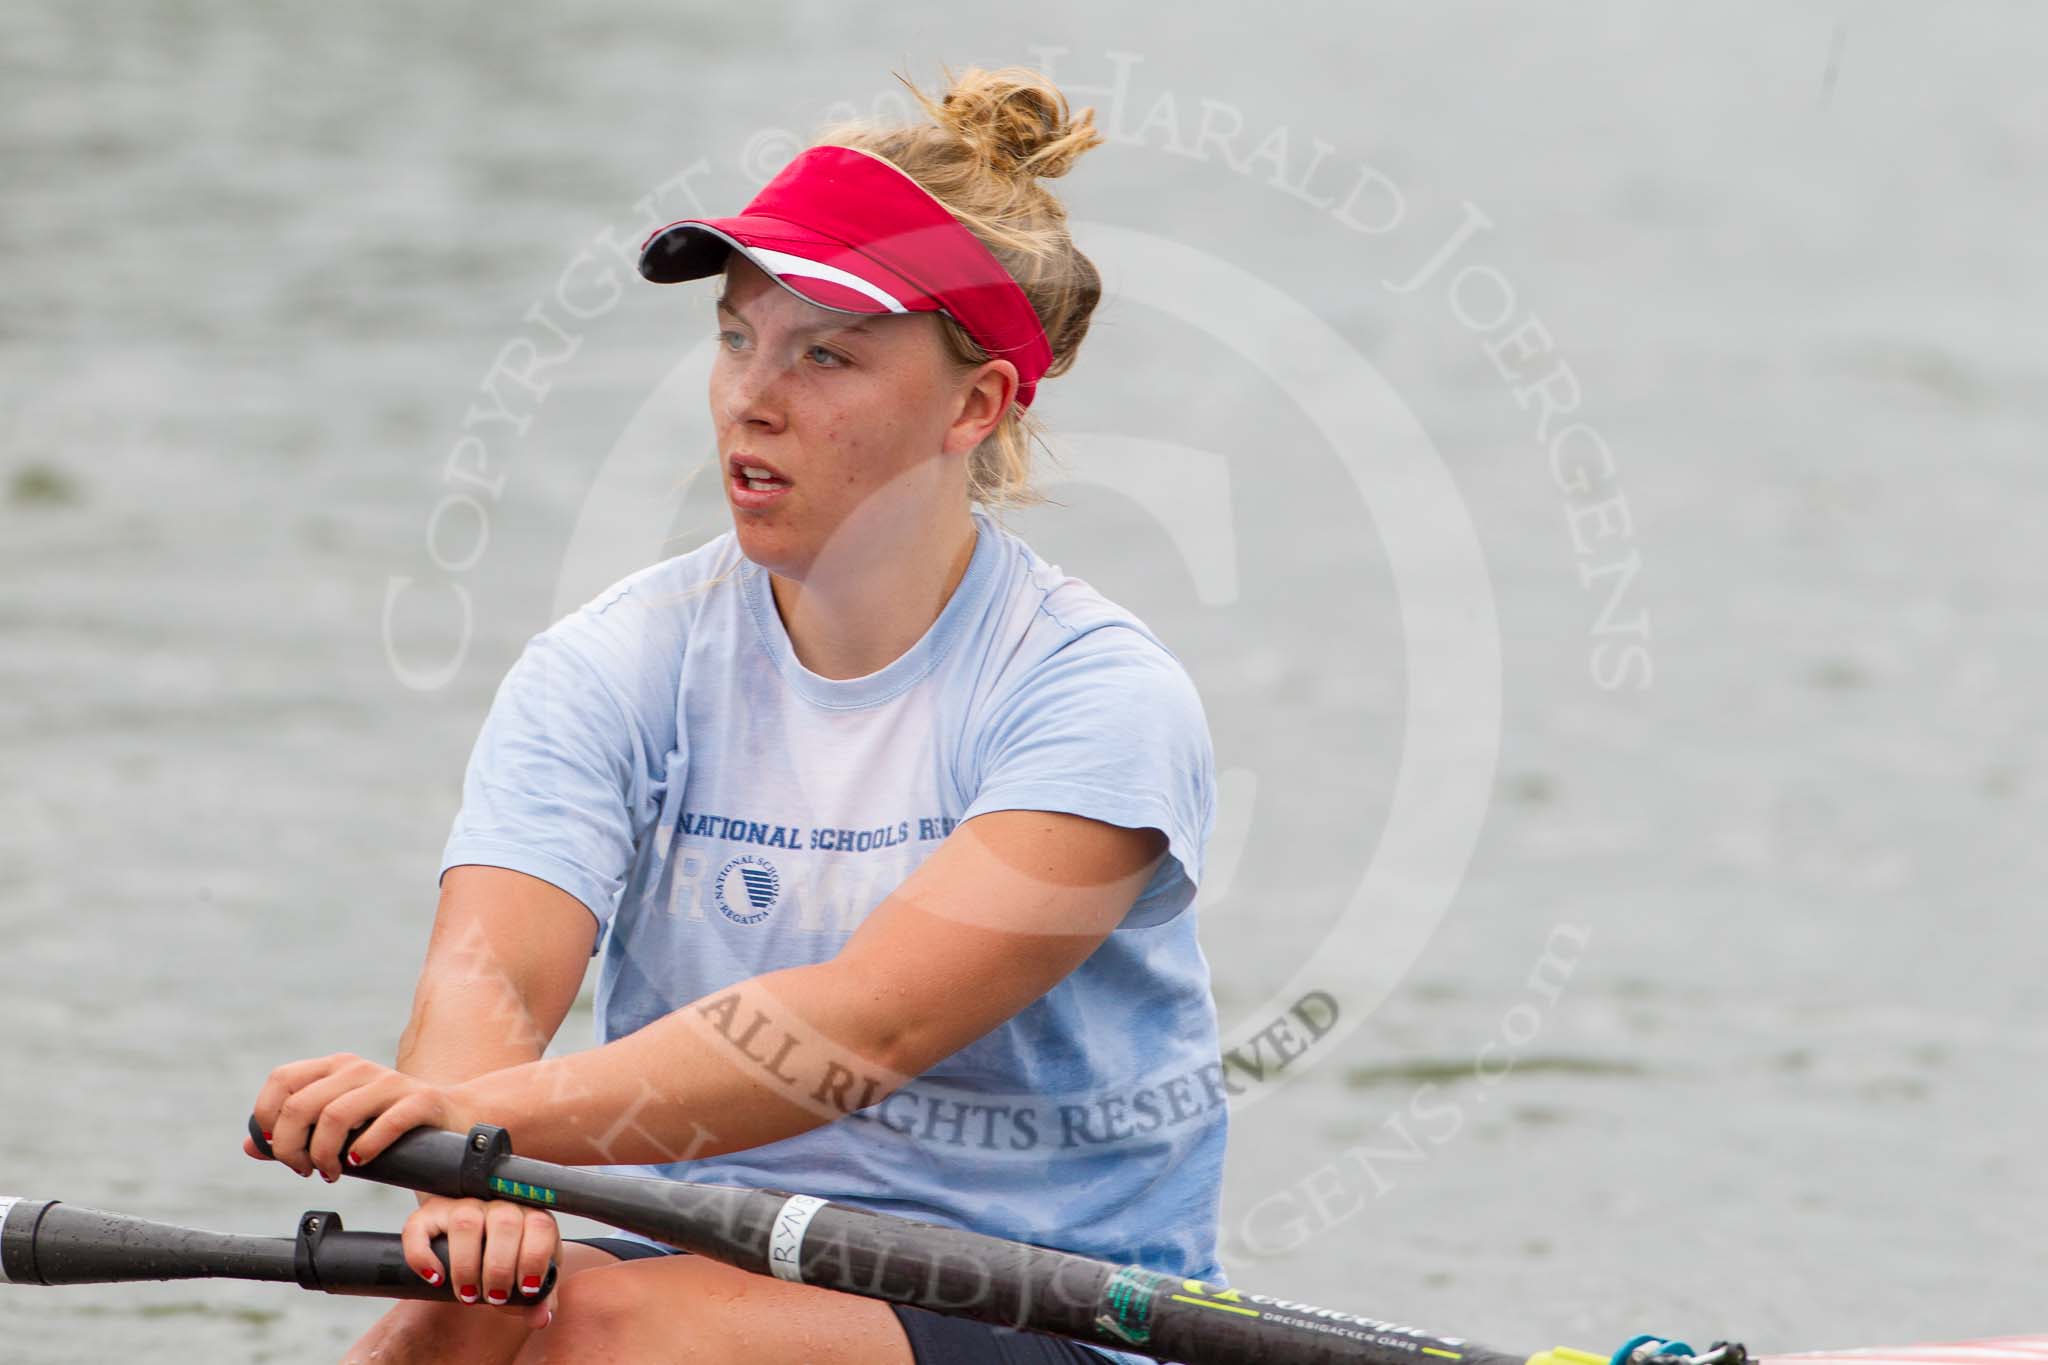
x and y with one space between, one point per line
1009 906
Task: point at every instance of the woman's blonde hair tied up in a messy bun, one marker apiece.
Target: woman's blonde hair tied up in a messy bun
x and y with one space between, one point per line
992 138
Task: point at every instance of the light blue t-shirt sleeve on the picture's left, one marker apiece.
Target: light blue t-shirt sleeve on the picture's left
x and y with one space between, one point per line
564 775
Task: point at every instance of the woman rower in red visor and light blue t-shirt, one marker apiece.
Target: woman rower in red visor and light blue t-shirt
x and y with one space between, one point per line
888 832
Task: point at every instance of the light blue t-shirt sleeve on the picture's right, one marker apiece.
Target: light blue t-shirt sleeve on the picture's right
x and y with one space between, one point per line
1109 728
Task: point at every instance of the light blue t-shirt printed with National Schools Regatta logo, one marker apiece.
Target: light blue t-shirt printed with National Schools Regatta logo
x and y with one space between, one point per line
667 760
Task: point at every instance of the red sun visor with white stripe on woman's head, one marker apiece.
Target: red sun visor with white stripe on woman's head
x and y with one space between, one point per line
853 234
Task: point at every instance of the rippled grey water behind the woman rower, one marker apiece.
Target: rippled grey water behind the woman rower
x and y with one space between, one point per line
1781 1077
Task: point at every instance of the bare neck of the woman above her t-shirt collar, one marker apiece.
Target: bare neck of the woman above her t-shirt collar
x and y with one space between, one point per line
857 623
